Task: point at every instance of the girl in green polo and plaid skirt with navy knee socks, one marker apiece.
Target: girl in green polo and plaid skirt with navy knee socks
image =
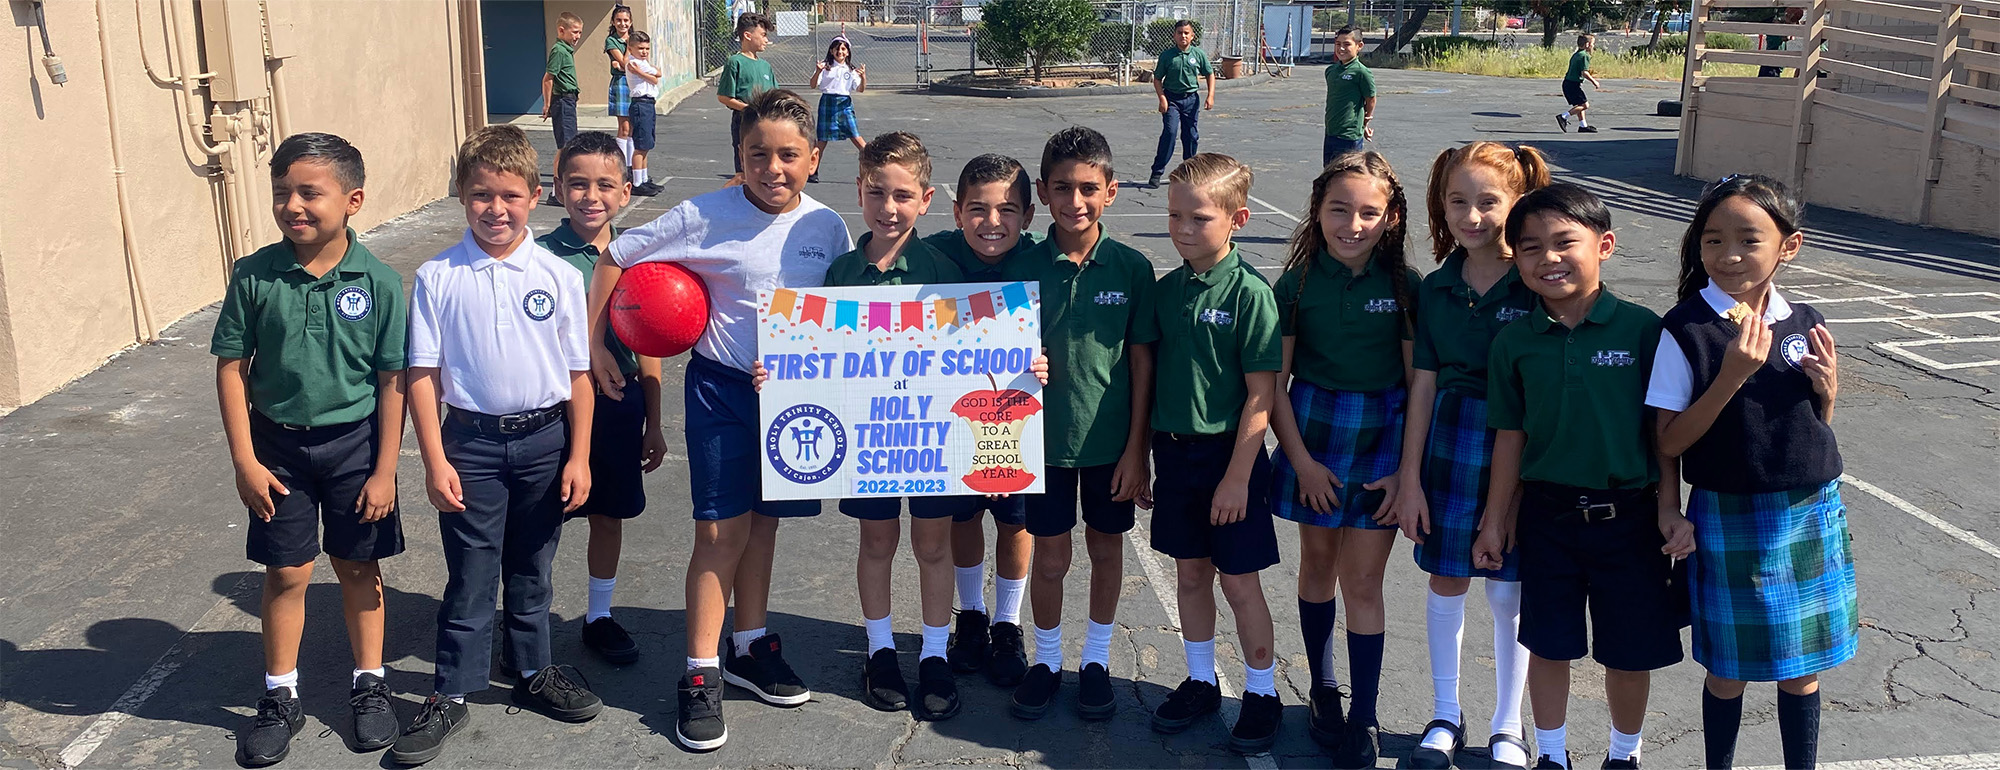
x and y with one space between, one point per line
1345 303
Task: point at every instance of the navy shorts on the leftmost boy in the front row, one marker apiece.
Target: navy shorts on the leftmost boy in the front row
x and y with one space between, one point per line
325 469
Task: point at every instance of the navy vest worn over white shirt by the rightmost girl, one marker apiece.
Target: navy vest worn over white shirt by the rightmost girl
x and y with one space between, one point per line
1771 437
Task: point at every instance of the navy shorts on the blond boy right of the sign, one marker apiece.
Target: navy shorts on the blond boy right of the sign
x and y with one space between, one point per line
1187 473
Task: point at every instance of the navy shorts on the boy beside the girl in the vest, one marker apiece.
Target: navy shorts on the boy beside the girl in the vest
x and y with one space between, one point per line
1611 569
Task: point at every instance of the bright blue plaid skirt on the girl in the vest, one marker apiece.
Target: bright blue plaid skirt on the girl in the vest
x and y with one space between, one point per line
1773 583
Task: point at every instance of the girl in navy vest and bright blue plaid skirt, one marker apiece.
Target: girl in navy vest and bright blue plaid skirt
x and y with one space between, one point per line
1745 383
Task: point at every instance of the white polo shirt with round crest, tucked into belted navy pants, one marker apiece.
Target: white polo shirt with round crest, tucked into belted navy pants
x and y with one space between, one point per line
503 333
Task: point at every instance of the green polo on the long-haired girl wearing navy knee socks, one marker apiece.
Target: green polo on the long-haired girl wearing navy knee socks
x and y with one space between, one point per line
1349 327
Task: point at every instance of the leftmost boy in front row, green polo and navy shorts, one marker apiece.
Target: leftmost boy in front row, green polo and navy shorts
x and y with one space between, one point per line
311 377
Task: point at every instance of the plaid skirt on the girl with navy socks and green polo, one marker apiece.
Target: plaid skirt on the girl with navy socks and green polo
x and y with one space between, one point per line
1355 435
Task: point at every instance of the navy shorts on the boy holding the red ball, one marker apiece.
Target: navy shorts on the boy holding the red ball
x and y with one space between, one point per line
725 447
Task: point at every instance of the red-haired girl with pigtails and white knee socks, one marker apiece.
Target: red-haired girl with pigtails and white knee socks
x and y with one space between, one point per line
1447 447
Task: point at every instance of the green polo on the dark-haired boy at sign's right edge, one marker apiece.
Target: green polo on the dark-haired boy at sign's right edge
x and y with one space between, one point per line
1091 315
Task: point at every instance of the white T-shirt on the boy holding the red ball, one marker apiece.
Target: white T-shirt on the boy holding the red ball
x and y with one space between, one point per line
739 251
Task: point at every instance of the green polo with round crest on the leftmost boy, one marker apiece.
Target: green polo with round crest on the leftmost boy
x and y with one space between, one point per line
315 345
